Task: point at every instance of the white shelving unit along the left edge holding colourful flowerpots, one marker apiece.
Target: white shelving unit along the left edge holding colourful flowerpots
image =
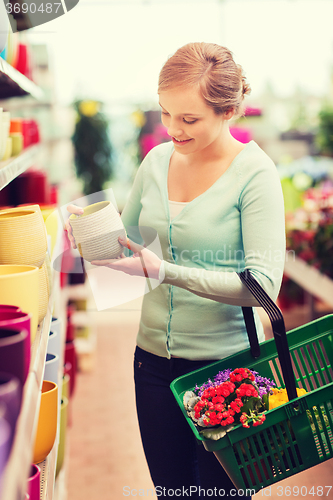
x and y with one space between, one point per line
12 85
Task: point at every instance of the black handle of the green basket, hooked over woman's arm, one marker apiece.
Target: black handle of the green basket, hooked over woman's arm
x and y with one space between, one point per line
278 326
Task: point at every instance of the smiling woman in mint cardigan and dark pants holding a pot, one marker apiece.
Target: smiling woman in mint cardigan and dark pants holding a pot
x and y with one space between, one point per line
217 207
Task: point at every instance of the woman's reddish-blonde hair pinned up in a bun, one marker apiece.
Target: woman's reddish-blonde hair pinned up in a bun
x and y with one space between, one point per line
212 68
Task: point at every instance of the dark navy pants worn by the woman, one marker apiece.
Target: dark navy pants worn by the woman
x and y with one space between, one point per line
179 465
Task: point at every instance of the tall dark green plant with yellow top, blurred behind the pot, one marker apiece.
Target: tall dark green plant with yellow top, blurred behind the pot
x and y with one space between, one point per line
92 146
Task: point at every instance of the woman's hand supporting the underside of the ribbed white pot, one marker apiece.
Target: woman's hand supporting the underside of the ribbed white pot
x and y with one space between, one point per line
142 263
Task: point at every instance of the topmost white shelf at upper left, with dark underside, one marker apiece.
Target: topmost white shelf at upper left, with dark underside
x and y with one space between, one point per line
13 83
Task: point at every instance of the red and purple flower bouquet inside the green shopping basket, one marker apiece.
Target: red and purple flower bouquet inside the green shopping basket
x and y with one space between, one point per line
233 397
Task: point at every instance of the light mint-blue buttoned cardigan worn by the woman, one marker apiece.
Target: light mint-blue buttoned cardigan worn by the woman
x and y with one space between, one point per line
237 224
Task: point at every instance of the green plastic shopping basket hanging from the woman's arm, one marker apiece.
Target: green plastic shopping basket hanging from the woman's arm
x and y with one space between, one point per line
294 436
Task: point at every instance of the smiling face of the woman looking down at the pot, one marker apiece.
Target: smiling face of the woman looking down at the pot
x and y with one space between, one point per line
192 125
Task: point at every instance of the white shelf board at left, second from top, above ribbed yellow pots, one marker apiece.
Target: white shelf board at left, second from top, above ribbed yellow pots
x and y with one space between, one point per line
17 164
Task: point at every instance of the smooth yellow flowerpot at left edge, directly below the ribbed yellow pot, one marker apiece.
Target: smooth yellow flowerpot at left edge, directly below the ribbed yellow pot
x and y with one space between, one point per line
19 286
